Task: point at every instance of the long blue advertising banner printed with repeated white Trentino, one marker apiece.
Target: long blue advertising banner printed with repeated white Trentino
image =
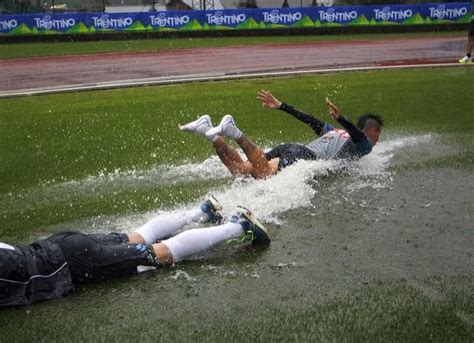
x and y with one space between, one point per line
78 23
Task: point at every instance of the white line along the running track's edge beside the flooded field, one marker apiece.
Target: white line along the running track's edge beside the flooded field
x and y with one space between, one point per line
176 79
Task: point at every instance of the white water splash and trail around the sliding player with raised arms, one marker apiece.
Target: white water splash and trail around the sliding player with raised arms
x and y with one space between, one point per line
292 188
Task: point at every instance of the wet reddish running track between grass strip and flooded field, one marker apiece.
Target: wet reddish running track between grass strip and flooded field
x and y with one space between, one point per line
58 74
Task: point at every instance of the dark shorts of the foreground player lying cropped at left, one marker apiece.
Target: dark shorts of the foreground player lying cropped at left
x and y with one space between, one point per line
102 257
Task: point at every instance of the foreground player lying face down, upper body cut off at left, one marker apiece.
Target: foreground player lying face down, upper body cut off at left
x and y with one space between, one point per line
55 266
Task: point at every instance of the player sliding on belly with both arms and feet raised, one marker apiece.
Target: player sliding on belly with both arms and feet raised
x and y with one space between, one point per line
354 141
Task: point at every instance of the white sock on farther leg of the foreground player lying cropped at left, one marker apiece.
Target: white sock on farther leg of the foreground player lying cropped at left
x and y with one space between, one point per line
164 225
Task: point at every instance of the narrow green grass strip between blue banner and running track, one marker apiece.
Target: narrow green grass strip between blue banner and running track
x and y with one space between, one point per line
21 50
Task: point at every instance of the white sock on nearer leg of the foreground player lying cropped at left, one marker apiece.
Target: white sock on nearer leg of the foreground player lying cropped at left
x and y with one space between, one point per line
196 241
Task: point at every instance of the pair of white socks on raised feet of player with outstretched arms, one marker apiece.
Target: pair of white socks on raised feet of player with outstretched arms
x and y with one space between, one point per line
203 126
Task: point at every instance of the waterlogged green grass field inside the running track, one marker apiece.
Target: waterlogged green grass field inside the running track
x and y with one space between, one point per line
376 250
